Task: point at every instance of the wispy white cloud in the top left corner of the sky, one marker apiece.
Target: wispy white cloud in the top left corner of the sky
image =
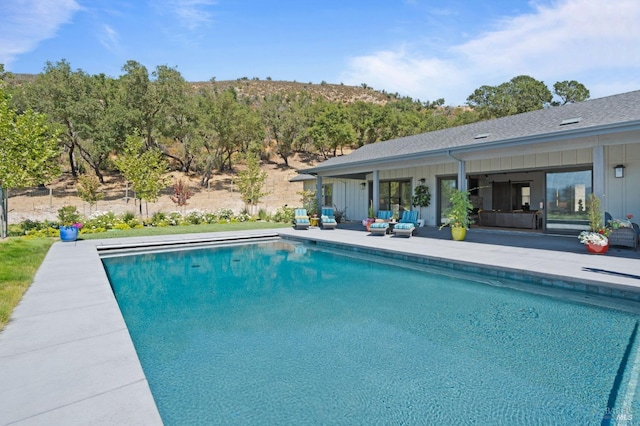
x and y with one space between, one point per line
25 23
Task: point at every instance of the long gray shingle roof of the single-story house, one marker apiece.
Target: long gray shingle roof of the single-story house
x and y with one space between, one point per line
596 115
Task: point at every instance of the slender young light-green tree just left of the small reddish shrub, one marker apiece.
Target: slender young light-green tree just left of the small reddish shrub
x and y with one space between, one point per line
144 169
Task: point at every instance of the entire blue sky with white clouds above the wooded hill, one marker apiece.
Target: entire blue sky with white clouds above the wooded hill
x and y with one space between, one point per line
424 49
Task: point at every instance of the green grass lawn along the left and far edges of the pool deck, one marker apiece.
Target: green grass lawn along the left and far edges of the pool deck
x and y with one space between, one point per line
20 258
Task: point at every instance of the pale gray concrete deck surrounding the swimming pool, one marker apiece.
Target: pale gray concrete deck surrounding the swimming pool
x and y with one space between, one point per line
66 356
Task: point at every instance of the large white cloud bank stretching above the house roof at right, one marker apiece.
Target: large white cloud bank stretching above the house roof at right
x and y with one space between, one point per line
596 40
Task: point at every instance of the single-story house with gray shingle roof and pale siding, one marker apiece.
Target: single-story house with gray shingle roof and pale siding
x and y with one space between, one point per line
546 162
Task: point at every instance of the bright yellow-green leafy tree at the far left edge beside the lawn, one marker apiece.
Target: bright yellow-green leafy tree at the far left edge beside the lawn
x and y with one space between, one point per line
28 152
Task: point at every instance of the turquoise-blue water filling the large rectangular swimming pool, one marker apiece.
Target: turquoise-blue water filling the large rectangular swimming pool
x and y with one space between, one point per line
283 333
